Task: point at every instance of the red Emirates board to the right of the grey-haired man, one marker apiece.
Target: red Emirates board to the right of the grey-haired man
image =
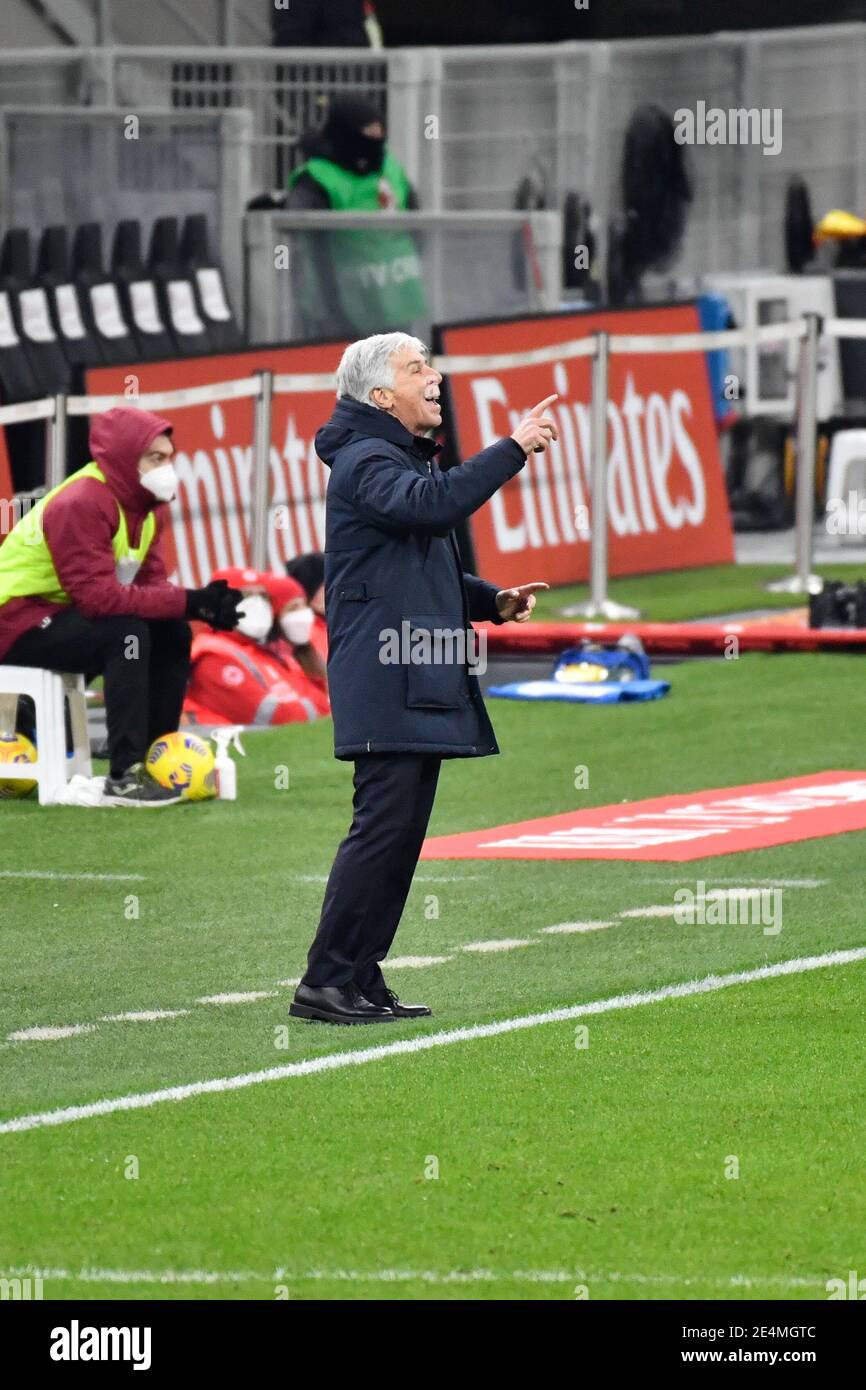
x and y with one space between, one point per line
667 497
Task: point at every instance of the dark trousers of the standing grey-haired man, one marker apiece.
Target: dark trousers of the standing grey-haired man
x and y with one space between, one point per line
372 874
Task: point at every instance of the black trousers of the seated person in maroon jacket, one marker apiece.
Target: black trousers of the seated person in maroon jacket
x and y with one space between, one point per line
144 664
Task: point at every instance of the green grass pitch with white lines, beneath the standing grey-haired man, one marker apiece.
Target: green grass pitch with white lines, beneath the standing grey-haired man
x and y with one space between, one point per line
519 1166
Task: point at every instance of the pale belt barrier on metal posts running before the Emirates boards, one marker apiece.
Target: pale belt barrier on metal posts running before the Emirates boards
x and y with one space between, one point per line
600 348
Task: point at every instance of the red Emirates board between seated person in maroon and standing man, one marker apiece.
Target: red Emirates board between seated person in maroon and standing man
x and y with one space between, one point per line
211 518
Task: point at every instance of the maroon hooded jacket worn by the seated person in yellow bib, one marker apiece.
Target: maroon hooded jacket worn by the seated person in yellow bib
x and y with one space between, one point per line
80 526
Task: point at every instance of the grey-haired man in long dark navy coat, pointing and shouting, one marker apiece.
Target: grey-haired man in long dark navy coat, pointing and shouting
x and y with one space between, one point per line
400 650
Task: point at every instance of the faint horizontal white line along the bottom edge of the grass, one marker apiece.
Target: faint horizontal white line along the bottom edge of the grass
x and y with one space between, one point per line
404 1277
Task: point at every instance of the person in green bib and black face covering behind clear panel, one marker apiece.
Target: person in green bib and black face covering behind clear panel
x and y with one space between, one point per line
354 283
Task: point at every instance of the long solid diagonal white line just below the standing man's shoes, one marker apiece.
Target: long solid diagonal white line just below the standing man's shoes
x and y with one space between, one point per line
334 1061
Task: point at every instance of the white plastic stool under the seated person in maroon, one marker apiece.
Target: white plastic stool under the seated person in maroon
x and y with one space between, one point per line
48 689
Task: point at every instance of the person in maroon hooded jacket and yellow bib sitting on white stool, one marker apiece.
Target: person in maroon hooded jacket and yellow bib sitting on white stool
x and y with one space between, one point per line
84 589
